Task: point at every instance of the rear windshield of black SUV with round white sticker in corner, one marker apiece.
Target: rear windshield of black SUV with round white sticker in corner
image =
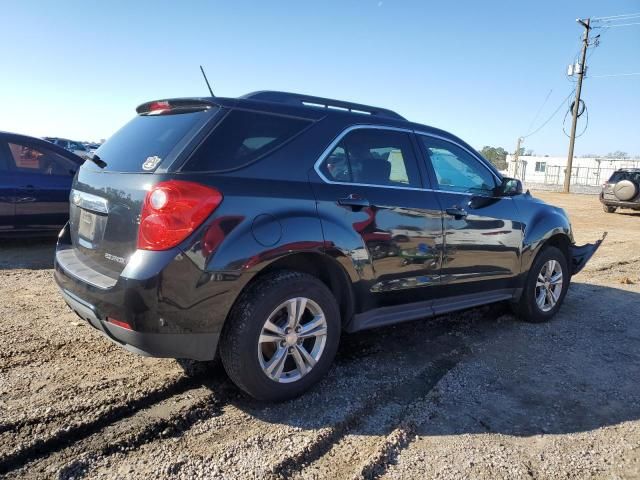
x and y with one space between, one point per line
149 136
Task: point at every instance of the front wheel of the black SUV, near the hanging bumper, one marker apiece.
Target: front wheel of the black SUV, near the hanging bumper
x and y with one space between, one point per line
545 288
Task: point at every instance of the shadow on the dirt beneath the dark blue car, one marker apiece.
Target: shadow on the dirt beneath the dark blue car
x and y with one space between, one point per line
27 253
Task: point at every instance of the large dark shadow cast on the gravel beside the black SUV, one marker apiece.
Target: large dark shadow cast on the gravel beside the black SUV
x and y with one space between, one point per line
482 370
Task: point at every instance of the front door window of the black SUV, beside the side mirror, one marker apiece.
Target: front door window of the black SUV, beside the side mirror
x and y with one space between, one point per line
456 169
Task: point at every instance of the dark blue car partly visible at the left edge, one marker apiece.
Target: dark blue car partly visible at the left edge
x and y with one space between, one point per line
35 180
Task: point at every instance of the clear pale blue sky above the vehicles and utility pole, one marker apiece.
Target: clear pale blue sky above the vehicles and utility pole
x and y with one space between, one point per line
479 69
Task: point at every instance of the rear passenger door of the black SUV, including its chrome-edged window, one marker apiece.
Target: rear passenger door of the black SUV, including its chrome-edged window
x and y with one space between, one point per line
374 208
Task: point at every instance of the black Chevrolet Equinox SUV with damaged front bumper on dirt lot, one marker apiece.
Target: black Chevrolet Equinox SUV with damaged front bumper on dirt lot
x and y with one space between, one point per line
263 226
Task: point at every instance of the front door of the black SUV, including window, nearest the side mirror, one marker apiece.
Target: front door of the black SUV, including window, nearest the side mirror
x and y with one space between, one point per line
482 231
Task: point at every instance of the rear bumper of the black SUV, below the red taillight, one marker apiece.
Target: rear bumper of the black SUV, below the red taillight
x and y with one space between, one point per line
174 308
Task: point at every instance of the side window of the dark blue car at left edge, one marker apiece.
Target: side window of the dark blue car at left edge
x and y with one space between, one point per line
26 158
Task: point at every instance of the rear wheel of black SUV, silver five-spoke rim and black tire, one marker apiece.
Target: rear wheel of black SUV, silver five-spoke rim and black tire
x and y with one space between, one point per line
282 336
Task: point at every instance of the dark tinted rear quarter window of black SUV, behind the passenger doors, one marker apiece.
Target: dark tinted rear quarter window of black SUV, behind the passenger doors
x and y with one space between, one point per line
242 137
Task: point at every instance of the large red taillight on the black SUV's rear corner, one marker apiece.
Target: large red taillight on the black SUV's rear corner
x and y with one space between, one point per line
172 210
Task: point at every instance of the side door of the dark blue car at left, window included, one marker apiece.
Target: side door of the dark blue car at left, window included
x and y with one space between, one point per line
44 182
